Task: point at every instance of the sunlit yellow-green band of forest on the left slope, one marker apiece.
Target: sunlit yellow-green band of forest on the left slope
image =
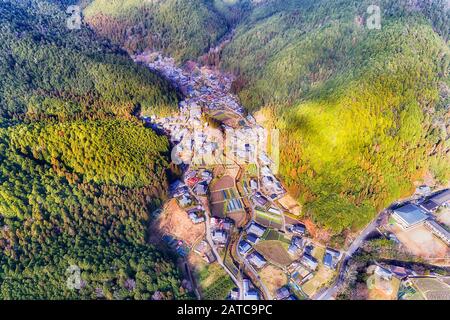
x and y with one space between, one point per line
114 152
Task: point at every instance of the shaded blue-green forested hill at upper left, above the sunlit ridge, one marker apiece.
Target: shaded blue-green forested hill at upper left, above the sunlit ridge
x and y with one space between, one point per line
69 73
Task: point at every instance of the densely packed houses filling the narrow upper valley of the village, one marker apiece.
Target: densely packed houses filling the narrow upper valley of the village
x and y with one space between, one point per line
208 89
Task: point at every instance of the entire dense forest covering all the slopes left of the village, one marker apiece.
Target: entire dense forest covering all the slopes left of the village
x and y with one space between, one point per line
79 176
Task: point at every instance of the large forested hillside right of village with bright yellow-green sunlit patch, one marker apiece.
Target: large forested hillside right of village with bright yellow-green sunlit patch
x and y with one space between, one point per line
363 112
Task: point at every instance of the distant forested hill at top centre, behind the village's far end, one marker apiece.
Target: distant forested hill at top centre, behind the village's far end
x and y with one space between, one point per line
183 29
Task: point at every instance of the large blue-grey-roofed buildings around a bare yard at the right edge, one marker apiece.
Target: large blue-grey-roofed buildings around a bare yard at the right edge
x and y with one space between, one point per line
412 214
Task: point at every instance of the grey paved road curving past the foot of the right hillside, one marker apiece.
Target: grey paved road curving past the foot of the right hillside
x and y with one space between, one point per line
355 245
